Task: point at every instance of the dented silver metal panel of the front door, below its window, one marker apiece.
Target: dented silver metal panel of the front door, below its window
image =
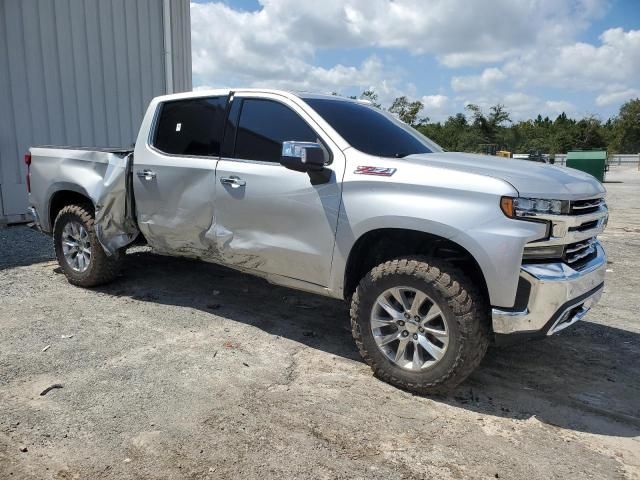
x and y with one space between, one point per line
278 222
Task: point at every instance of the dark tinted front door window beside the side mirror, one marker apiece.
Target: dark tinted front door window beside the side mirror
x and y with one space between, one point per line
264 125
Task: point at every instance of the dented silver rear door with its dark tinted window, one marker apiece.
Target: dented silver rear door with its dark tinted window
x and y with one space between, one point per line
174 176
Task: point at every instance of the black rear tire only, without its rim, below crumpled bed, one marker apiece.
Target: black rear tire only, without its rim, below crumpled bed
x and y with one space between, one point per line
102 268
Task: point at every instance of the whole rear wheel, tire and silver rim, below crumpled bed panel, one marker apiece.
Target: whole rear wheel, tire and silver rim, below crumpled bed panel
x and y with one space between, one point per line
80 255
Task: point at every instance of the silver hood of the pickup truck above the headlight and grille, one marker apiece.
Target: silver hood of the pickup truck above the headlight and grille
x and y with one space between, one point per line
530 179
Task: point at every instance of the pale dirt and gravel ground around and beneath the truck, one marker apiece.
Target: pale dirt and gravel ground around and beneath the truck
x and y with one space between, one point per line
189 370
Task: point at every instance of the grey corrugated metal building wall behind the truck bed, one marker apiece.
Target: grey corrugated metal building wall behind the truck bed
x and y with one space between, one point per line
81 72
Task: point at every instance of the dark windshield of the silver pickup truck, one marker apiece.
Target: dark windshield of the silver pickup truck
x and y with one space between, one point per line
370 130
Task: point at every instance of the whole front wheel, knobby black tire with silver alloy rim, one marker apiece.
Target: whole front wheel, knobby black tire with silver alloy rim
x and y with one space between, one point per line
420 324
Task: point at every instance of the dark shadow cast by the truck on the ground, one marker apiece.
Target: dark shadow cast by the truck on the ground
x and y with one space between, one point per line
584 379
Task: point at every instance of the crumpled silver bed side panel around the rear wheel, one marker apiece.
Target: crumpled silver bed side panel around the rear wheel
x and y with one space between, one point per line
101 175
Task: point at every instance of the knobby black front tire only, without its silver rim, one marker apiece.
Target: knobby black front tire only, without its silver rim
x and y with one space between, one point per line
463 307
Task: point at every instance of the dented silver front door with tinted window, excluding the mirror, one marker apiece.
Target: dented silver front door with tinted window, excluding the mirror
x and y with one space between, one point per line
269 218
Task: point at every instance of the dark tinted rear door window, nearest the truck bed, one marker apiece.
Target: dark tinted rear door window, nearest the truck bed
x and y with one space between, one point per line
191 127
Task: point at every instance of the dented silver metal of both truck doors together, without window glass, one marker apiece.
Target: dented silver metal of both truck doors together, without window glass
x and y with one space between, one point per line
279 224
